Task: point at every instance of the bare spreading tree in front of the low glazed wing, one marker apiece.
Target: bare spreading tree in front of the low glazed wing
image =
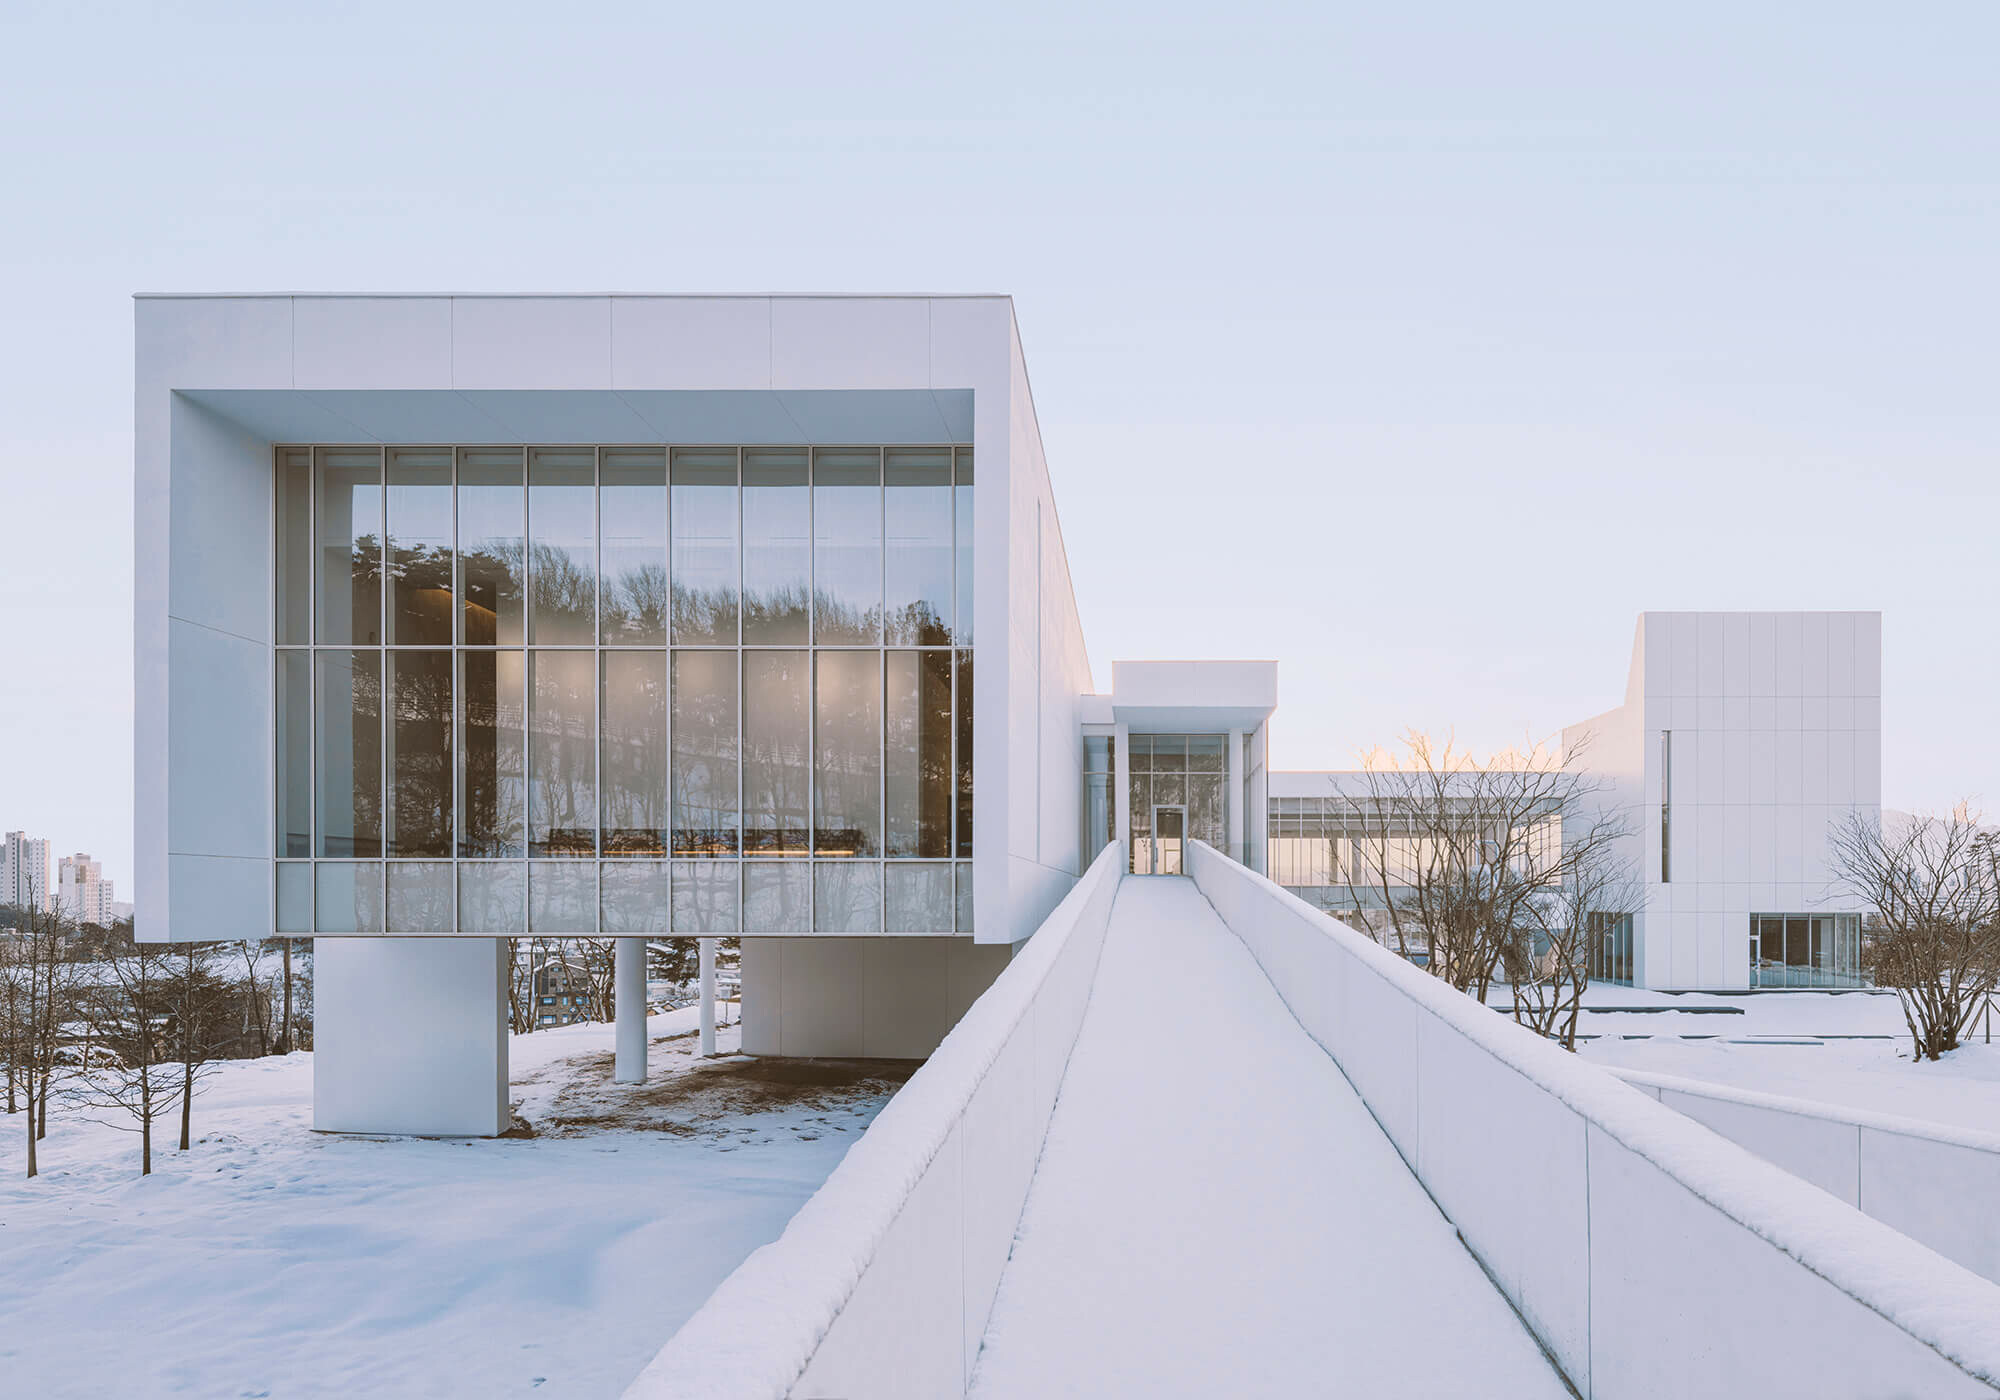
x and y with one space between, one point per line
1499 867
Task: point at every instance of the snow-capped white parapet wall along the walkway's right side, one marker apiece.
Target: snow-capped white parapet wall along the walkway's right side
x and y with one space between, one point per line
1647 1253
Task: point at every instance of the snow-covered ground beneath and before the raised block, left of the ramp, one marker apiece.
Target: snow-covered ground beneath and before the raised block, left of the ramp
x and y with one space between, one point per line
273 1261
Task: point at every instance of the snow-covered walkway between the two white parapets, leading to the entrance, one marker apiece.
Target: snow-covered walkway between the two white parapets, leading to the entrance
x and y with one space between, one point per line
1217 1215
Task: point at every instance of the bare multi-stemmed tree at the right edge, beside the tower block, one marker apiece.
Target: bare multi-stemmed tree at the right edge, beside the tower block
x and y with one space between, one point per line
1933 891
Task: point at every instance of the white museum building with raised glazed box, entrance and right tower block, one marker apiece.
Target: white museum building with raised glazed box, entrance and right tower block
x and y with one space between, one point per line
475 617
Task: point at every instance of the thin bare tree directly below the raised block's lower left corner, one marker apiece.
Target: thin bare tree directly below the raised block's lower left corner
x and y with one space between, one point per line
131 1015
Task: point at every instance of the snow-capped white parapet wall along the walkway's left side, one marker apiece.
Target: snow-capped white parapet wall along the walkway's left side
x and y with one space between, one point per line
883 1281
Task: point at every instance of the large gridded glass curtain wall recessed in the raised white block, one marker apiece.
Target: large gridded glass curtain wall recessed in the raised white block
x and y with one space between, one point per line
625 691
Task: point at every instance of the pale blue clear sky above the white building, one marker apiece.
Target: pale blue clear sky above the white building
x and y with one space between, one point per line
1413 347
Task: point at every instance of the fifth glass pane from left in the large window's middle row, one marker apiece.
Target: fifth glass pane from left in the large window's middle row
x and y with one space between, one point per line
563 737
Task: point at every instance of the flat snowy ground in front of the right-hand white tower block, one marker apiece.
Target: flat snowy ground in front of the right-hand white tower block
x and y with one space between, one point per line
1847 1049
